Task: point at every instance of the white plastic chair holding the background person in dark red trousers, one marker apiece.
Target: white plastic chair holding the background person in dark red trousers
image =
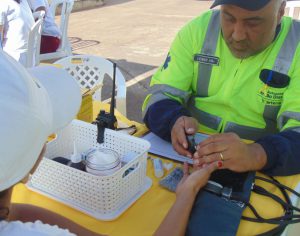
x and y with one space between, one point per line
64 48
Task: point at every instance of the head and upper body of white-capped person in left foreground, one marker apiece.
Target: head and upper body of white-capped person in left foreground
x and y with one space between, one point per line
32 107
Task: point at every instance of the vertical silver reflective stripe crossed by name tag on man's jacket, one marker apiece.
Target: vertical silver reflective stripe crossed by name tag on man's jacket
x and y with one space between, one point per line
208 48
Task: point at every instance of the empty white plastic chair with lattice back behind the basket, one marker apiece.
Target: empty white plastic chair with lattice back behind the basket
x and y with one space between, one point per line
89 71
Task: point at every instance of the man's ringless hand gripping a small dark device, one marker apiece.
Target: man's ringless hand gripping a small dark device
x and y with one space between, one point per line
183 126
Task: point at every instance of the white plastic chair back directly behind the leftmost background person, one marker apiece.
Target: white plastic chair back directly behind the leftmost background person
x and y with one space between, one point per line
34 40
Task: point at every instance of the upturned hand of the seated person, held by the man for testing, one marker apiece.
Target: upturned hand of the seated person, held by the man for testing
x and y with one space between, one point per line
192 183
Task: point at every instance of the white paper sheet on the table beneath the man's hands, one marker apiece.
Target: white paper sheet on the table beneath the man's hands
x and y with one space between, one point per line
163 148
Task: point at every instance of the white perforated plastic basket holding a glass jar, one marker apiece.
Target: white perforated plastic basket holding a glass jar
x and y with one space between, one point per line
103 197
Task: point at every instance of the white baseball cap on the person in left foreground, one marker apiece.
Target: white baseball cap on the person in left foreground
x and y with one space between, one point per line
33 104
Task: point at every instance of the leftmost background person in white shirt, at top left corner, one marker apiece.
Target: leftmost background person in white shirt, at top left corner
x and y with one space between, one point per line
16 21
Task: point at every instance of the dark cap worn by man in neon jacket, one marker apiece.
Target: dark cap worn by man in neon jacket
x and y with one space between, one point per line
251 5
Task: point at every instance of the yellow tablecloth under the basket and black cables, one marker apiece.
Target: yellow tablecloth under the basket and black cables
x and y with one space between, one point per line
144 216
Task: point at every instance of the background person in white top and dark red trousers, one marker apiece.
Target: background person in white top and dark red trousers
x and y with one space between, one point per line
51 34
